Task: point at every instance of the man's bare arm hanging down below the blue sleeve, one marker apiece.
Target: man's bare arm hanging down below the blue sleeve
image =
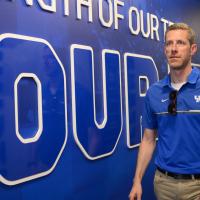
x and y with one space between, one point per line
146 150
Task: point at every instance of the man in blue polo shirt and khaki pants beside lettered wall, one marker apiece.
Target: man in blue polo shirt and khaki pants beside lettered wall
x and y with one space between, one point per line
172 113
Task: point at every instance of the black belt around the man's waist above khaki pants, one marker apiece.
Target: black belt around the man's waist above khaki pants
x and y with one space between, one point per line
179 176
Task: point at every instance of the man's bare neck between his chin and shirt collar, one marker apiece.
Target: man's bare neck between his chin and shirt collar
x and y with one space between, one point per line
180 75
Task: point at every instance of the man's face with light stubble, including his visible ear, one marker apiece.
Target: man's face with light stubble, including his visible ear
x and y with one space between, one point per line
178 49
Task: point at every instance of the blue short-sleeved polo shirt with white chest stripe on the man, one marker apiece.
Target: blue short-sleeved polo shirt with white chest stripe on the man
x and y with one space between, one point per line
178 146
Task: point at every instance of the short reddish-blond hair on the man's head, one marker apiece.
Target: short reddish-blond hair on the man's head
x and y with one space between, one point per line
183 26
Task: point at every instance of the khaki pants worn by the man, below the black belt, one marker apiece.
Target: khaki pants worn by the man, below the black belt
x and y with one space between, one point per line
168 188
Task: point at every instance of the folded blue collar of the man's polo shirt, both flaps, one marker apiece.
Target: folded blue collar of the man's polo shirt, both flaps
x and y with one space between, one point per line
192 78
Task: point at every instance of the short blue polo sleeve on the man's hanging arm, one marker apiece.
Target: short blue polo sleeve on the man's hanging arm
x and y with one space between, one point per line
149 117
